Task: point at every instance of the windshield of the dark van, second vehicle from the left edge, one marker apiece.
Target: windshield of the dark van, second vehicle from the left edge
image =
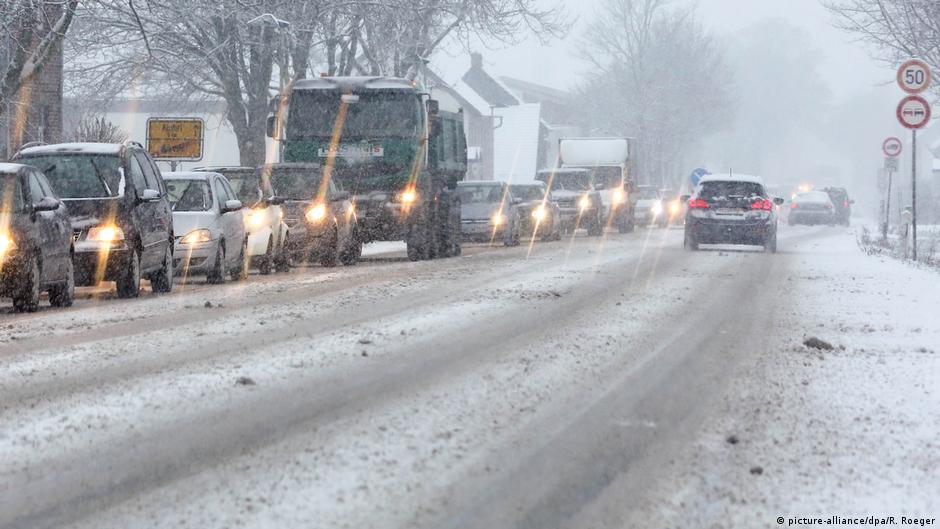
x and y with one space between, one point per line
81 175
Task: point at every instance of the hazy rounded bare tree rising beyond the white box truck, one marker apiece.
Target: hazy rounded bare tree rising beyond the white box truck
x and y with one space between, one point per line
657 75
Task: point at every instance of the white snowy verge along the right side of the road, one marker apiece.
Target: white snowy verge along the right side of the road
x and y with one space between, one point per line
852 431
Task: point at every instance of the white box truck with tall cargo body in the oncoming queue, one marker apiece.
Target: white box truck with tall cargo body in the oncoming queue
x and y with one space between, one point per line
611 168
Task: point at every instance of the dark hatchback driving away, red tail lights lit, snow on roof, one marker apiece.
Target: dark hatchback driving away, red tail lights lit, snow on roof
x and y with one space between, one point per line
732 209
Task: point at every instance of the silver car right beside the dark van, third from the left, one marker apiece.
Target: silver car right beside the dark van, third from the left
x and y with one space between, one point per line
210 226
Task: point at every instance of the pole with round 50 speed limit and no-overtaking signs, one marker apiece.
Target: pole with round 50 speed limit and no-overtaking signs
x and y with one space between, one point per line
914 77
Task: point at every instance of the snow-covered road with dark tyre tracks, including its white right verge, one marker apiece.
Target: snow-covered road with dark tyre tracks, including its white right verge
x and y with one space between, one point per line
627 383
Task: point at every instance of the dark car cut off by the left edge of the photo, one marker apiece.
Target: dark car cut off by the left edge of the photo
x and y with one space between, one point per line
35 240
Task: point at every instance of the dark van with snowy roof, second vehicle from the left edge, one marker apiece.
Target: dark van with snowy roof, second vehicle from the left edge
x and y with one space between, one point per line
121 219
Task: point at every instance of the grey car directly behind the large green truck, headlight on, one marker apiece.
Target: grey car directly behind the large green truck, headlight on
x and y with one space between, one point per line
488 212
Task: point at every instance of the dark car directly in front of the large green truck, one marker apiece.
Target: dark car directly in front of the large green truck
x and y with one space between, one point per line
320 217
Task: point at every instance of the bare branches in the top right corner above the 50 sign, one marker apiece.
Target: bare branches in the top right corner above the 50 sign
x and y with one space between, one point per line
894 29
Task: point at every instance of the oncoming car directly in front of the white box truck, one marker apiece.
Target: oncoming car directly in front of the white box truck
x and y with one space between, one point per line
574 191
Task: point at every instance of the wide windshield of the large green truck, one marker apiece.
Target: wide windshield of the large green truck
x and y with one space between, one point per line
314 114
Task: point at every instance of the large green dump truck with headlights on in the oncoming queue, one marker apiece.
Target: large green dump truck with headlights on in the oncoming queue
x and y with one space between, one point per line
395 150
